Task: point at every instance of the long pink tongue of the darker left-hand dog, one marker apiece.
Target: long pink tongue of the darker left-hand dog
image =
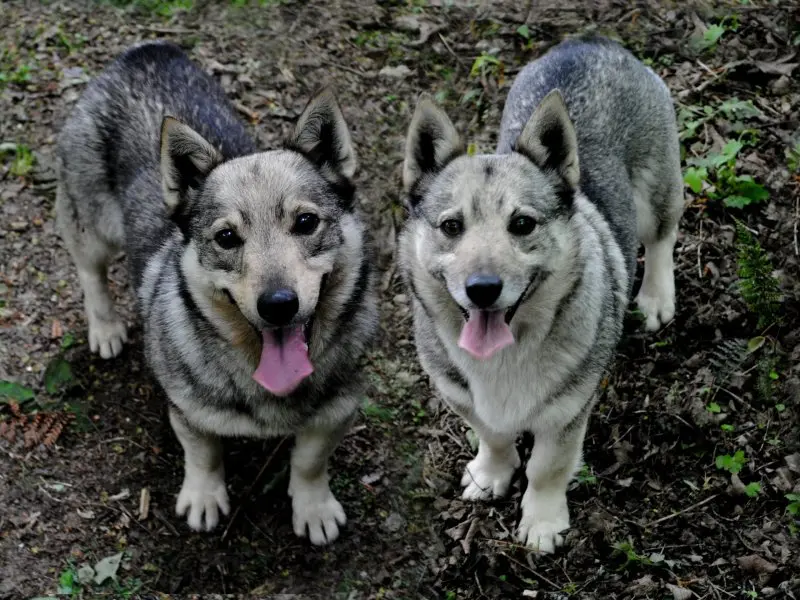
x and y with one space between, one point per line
284 361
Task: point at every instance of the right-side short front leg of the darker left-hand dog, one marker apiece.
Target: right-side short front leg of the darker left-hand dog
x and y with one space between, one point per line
315 511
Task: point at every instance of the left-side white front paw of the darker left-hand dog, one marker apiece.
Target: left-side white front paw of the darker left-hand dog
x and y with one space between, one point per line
203 496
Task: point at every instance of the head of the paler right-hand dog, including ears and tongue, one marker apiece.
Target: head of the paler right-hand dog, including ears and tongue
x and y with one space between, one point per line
491 228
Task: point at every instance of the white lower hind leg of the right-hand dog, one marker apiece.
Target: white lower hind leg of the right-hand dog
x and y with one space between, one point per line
656 298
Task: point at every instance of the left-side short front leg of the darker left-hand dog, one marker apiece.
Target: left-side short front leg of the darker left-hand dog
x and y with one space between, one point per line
203 494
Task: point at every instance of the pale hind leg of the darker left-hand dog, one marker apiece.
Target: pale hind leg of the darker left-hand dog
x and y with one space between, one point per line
92 252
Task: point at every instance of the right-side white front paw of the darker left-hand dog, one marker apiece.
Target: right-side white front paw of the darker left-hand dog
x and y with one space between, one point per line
315 511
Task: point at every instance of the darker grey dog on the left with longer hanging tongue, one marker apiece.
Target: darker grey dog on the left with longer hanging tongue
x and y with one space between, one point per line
253 271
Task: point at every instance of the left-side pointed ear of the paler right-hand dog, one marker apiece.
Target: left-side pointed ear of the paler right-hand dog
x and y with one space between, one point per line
431 143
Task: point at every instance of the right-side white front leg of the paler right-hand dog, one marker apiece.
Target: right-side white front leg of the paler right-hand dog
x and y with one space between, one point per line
554 460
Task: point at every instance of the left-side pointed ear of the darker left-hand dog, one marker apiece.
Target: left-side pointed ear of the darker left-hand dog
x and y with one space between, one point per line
186 160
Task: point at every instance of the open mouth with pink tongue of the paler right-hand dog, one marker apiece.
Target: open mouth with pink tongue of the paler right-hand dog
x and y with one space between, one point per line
486 332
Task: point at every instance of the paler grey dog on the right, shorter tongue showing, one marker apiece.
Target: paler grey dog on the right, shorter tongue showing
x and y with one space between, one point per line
520 264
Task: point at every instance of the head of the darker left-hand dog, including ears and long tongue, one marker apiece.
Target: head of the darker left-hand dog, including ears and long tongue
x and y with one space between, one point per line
264 232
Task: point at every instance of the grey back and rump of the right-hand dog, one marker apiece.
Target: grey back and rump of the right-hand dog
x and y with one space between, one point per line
625 126
